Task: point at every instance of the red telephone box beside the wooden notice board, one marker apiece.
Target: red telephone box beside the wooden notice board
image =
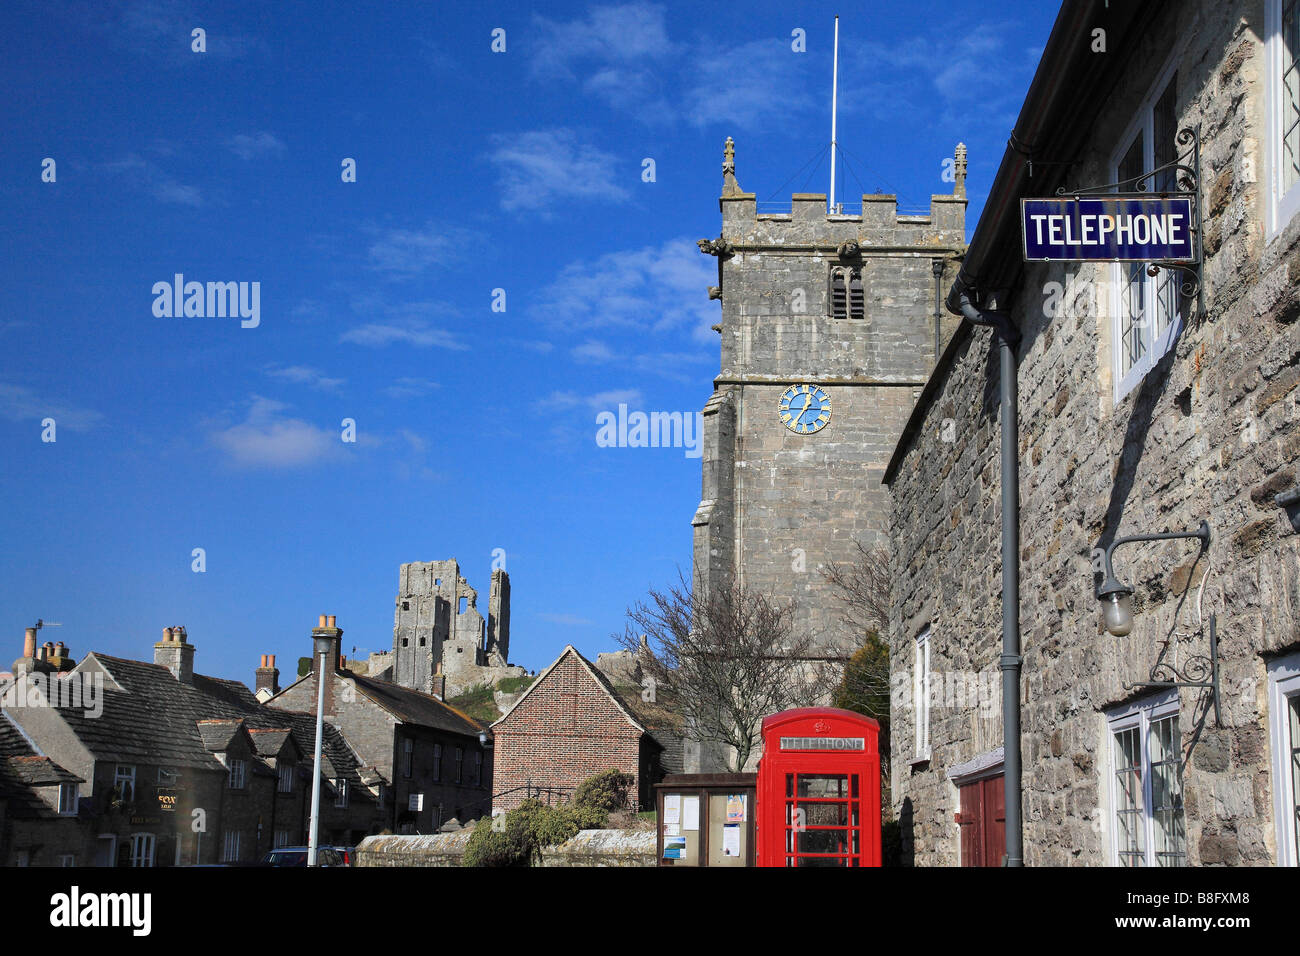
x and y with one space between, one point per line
820 790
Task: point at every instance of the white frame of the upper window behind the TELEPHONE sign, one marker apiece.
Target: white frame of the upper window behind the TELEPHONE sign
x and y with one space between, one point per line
1143 124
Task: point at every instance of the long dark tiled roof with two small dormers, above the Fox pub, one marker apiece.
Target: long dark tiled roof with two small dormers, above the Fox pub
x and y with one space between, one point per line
150 717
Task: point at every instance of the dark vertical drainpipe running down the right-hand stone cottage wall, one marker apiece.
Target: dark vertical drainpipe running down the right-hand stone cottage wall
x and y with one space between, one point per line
1008 339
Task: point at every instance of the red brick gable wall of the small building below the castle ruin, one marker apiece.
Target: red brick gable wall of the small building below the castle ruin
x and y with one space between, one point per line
565 732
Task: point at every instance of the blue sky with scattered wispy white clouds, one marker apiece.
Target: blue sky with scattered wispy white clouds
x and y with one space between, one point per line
475 171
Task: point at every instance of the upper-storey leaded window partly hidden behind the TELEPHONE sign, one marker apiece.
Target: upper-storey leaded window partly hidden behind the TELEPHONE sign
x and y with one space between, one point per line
1147 310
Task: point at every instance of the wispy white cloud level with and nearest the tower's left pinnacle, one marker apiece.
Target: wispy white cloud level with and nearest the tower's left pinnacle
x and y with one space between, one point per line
541 168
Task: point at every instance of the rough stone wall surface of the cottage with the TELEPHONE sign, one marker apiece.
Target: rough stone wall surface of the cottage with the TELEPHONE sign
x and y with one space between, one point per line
1211 434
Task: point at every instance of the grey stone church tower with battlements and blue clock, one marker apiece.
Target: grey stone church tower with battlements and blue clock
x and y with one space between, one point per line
829 334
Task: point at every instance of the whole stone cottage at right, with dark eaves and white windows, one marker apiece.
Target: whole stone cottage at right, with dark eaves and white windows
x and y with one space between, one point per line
1146 406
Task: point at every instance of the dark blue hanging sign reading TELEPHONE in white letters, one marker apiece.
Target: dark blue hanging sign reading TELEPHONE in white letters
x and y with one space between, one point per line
1108 230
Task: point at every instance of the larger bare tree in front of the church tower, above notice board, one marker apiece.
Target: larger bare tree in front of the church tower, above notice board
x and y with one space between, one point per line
729 659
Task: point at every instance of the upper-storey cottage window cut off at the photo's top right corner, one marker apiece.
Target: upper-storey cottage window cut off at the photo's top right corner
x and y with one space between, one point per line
1282 102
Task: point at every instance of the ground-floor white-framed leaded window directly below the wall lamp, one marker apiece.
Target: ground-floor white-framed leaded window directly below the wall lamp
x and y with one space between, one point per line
1147 785
